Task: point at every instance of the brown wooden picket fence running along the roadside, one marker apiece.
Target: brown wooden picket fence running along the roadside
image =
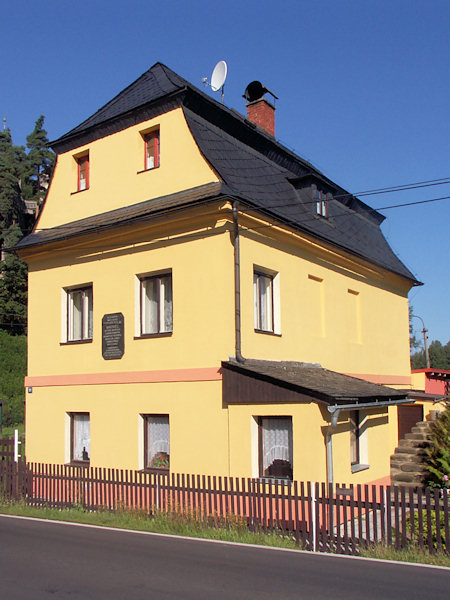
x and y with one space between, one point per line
319 517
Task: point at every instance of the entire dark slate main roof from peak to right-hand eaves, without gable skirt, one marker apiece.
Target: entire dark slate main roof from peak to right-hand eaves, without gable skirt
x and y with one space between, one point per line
255 167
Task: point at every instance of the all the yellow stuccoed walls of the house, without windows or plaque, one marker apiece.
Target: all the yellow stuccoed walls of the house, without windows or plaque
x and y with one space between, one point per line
321 320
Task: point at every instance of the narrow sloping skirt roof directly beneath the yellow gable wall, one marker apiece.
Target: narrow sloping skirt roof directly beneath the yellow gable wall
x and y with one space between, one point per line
126 216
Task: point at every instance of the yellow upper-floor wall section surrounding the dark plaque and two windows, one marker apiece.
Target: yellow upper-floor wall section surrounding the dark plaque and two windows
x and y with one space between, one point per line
203 317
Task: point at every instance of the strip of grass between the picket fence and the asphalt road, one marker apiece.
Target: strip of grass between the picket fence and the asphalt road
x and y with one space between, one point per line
235 530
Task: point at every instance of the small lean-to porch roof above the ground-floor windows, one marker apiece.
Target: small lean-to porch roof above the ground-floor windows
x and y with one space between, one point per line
313 380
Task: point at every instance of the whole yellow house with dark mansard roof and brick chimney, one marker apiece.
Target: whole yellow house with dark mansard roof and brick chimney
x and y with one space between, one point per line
203 300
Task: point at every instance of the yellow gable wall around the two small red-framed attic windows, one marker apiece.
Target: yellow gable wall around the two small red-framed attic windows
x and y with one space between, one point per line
115 179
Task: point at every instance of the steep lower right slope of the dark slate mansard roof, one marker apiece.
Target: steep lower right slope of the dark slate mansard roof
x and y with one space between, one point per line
266 185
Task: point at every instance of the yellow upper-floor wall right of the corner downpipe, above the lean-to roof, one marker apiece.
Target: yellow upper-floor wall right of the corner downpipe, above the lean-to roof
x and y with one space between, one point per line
320 321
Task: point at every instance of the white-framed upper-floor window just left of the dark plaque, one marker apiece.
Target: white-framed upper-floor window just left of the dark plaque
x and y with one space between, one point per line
86 313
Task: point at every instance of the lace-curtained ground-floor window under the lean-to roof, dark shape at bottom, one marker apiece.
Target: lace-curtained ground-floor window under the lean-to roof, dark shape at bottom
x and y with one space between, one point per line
275 447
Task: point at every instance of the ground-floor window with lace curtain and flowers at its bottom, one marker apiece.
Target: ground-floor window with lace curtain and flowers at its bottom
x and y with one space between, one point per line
157 442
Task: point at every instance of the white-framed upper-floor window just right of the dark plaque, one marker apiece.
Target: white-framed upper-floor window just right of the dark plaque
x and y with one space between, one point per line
163 325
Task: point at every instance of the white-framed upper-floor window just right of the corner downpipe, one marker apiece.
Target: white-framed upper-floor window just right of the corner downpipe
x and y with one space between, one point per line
271 298
